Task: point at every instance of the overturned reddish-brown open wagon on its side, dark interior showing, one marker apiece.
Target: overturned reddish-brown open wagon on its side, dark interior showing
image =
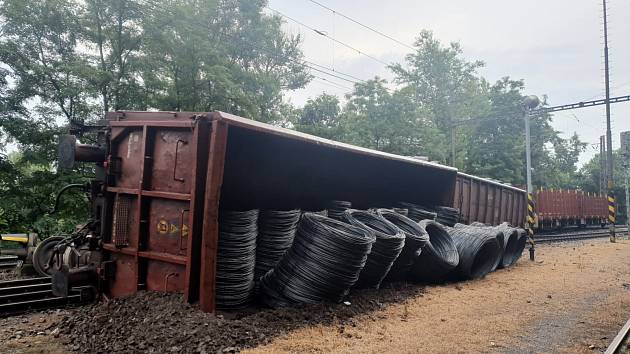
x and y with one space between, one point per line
168 173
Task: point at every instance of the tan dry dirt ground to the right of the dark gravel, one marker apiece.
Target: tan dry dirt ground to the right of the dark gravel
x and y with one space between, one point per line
573 299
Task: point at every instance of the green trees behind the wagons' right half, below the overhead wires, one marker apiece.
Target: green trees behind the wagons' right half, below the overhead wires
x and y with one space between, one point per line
441 105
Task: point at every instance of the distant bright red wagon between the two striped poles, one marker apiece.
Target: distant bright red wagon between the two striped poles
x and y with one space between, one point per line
558 208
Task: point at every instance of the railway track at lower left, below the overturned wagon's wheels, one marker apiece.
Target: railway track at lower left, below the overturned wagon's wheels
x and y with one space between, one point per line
23 295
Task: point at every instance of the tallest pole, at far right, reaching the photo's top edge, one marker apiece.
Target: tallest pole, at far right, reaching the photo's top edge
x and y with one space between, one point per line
609 158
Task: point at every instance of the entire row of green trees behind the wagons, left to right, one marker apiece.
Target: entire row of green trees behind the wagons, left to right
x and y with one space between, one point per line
68 61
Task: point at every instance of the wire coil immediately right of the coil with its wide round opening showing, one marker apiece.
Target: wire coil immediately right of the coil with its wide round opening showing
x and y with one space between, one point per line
479 250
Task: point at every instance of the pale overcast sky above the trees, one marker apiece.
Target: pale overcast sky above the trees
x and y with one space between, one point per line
555 46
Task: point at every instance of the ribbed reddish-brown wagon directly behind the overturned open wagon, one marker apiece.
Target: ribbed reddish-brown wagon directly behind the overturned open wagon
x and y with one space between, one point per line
489 202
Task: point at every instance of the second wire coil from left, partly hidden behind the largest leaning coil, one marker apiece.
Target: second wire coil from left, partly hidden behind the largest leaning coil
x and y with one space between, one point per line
276 229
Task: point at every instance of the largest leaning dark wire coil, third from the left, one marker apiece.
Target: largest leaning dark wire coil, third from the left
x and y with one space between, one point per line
323 263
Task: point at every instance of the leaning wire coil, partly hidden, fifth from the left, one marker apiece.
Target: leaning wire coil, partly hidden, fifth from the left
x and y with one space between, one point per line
415 240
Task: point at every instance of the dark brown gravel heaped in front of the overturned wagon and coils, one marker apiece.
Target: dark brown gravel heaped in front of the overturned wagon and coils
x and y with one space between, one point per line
163 323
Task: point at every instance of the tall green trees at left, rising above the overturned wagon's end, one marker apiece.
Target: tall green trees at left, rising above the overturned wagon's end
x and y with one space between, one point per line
67 61
